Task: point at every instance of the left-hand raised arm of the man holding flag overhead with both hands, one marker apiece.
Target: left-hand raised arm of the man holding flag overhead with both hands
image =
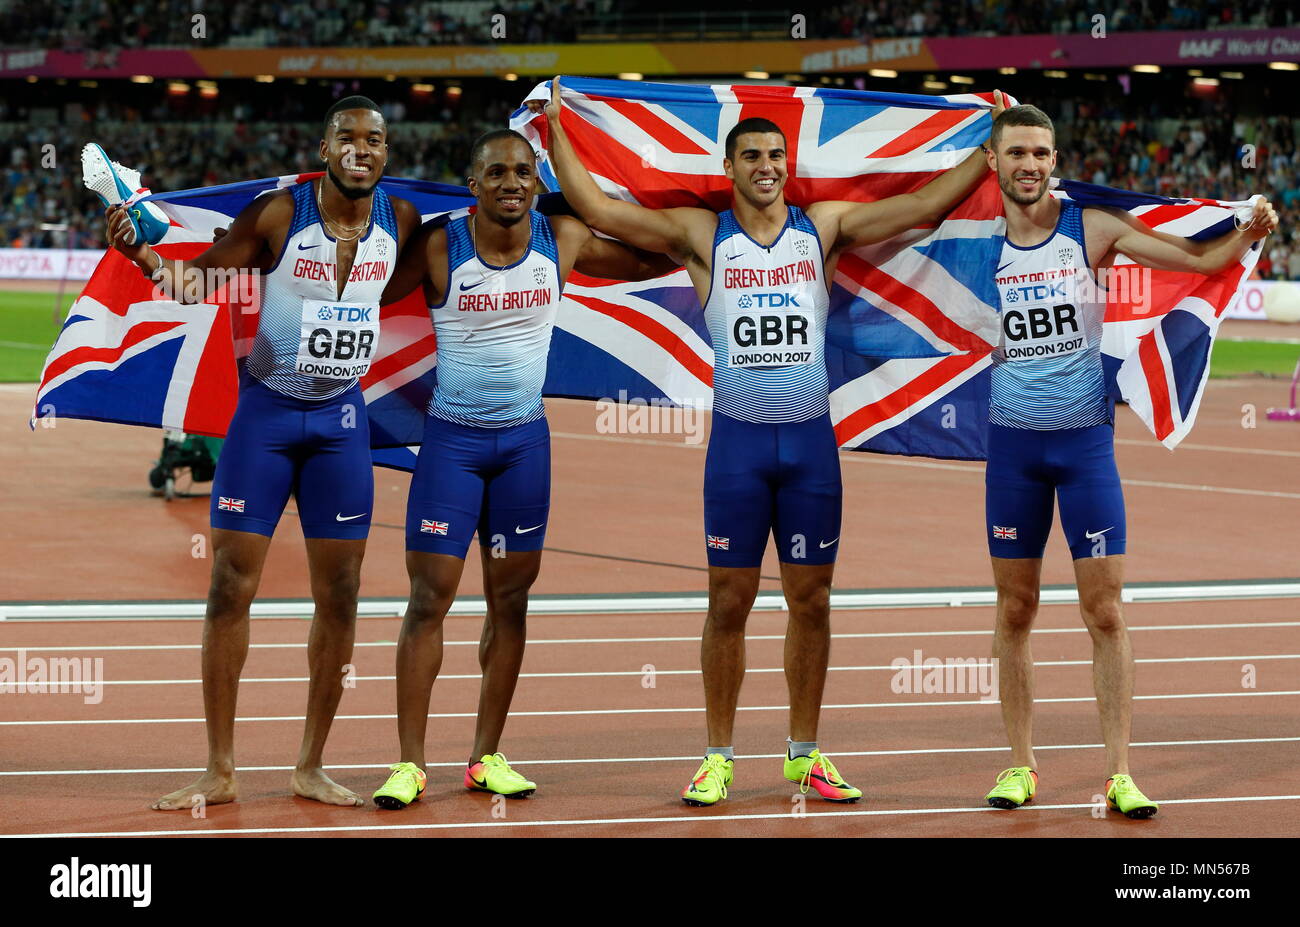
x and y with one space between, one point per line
666 232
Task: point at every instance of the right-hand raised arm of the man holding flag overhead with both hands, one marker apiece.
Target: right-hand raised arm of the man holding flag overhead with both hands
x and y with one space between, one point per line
852 226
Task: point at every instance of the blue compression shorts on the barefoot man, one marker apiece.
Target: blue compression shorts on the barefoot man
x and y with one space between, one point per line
319 450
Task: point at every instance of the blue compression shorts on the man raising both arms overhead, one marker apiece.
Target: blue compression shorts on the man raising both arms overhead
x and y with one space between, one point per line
779 479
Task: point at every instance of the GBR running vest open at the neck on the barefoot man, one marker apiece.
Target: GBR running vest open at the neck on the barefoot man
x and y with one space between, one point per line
313 344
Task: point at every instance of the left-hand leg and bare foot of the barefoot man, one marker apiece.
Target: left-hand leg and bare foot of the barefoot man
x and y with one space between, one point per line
237 562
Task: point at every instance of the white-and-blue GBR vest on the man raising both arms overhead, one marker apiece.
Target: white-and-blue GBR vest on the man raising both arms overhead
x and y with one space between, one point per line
766 315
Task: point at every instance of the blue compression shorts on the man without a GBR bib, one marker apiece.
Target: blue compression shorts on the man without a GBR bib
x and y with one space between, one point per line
496 482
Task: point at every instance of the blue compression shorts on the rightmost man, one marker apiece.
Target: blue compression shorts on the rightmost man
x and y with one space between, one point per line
1077 466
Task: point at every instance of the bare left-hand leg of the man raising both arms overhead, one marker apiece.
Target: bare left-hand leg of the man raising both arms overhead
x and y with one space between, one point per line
722 647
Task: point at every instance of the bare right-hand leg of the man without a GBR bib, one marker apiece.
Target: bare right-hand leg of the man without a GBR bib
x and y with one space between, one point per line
501 651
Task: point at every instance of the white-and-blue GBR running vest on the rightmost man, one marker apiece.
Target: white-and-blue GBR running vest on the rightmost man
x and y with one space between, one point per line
1047 371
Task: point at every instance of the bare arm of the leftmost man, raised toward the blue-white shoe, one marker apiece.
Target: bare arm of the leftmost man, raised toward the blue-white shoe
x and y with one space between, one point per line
244 248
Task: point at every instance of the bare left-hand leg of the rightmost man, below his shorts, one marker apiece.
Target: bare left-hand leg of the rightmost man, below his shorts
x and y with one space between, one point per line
1017 583
